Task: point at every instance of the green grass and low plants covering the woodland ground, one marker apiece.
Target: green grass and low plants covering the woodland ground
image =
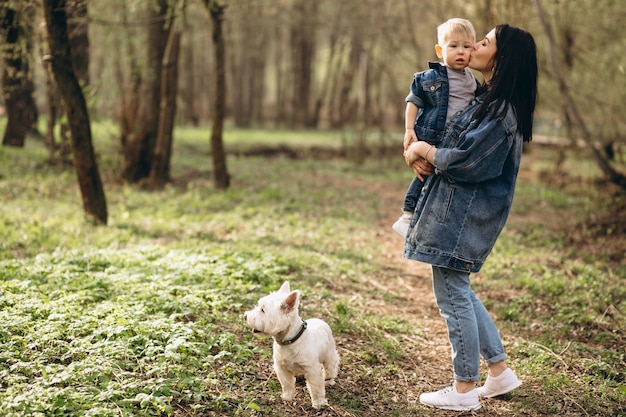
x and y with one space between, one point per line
143 317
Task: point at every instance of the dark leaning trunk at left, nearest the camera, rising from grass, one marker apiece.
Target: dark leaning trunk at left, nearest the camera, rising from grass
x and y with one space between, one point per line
94 201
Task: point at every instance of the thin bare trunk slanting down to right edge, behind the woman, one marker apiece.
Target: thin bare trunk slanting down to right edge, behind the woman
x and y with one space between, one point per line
570 106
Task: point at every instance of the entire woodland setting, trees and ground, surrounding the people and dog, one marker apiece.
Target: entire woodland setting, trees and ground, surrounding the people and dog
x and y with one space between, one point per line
244 143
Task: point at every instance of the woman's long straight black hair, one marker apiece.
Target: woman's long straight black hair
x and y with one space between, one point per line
514 79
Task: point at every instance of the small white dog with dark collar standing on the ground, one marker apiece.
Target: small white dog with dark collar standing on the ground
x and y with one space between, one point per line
300 347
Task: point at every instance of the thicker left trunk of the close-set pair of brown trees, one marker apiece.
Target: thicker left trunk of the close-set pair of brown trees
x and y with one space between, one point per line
139 149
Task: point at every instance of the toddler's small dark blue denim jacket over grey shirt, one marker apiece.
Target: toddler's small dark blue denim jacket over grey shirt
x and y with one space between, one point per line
429 92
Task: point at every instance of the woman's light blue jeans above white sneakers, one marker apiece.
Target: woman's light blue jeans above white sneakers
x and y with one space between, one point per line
471 330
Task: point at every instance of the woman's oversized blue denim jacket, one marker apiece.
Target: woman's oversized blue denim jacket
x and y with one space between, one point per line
465 203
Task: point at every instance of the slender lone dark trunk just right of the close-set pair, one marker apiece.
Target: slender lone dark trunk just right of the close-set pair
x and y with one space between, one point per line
221 178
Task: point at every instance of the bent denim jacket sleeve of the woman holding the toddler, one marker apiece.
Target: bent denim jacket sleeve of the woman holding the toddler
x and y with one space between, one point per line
480 152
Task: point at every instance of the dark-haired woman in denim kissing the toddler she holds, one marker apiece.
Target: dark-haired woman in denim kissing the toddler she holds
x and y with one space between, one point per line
464 206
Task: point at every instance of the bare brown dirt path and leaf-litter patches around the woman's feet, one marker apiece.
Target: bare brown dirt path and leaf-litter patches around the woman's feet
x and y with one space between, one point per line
426 363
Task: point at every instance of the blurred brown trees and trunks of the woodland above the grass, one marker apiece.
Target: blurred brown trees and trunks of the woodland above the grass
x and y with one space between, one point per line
151 65
